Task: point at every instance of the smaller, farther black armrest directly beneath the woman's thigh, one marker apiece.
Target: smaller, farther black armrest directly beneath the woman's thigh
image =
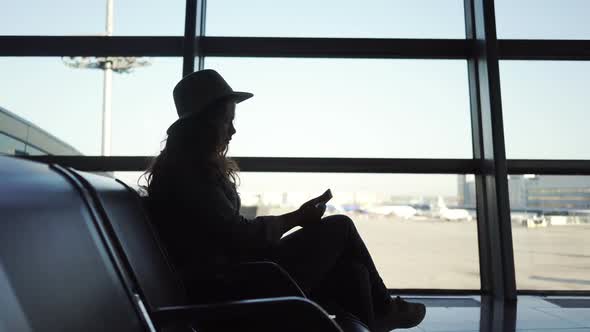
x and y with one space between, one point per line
262 280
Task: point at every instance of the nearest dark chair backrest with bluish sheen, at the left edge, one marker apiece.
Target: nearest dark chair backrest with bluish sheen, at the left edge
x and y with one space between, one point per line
56 273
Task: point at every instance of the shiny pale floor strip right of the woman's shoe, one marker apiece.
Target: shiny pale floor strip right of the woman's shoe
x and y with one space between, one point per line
541 314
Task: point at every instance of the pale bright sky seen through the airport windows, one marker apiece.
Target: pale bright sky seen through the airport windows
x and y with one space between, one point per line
312 107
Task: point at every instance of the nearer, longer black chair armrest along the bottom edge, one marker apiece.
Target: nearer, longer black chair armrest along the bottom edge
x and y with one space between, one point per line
275 314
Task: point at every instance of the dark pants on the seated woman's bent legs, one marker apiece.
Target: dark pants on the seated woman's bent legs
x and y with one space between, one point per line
331 263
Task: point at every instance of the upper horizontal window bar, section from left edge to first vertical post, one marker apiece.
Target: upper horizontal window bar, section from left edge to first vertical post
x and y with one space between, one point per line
90 46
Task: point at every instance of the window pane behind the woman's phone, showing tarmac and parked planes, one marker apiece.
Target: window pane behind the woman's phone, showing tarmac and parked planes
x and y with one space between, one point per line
419 228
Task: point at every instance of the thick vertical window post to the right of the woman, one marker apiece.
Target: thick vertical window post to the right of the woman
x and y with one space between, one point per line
493 208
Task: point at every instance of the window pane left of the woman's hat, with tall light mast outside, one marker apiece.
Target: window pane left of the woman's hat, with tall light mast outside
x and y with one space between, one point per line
66 103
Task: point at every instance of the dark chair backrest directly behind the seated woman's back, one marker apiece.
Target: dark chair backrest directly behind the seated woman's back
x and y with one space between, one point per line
138 242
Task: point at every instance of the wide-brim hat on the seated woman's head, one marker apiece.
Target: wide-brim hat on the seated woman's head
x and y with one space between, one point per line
195 92
